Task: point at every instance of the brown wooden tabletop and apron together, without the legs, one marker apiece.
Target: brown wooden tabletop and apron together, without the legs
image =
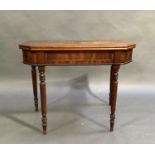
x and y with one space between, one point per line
74 53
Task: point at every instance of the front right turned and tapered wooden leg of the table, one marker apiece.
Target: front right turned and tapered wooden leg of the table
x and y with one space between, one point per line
113 93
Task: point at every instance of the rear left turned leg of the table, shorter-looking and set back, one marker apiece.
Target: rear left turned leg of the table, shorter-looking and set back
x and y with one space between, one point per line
34 84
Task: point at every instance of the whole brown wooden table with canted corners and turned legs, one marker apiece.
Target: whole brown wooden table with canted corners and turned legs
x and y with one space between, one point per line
47 53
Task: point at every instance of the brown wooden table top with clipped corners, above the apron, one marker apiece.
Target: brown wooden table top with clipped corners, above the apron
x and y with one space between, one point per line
77 45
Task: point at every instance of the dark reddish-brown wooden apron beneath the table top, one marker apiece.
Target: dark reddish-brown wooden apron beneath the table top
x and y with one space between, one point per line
76 57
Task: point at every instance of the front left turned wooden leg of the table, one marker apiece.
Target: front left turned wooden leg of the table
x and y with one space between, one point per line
43 97
